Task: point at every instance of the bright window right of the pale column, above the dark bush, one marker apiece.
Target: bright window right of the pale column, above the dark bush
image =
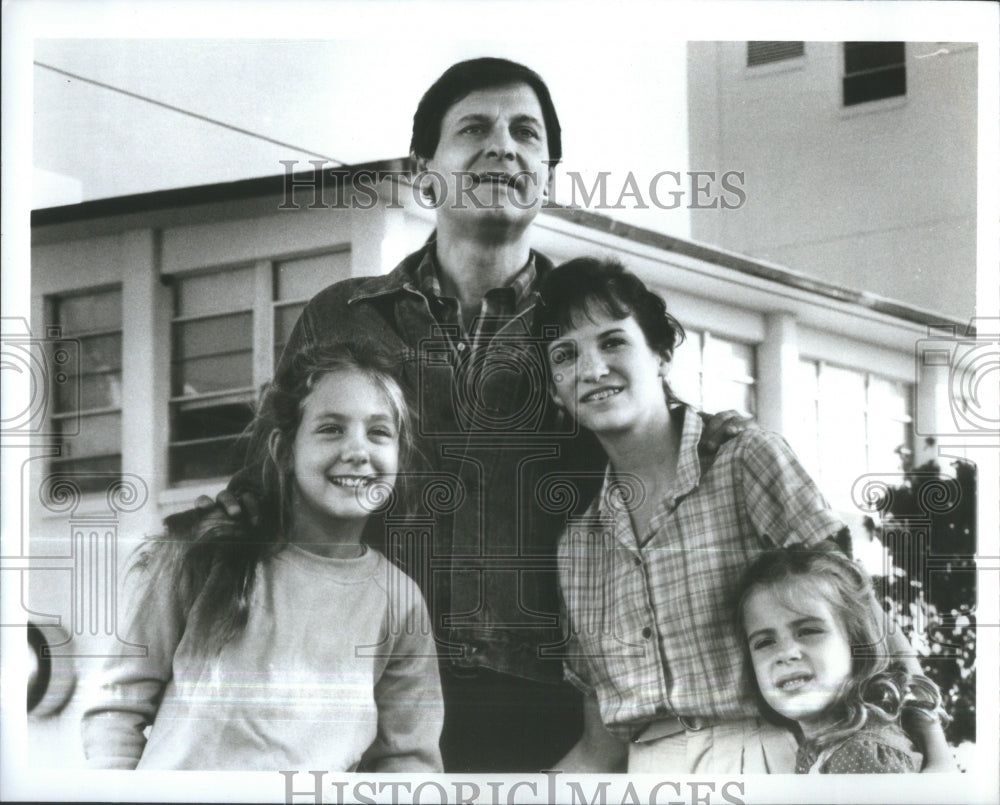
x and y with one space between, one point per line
850 423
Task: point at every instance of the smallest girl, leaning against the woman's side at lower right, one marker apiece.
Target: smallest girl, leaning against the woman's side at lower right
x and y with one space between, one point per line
820 659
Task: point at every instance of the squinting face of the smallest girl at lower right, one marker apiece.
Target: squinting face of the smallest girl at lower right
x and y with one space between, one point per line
801 656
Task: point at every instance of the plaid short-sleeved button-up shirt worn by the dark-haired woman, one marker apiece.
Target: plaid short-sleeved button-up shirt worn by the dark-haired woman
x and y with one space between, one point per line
651 622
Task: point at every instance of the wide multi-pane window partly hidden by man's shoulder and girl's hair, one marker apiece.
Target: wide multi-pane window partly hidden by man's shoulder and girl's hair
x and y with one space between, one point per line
229 327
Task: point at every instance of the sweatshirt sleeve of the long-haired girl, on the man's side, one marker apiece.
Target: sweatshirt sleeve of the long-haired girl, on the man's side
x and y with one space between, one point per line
408 693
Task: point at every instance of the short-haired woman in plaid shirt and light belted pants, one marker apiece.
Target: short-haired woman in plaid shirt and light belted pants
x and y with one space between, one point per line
649 574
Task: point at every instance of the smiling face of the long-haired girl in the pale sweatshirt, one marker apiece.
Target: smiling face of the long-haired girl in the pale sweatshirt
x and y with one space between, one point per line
348 440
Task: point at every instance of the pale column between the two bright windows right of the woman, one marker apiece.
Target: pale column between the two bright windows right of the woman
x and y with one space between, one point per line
777 364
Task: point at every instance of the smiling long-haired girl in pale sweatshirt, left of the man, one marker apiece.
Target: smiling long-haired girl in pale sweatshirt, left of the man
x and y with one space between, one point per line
291 644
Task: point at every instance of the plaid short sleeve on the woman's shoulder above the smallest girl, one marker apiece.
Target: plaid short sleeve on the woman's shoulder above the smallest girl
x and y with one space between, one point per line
782 500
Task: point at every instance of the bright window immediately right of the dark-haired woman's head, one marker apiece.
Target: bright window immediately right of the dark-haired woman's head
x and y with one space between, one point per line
714 374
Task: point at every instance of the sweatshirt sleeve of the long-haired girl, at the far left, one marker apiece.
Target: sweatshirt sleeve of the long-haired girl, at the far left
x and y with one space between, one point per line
125 697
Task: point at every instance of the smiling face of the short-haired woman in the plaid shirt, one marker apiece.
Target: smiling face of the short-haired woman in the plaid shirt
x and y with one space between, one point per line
605 374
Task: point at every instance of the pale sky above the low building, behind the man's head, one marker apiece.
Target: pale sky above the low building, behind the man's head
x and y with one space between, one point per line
349 100
